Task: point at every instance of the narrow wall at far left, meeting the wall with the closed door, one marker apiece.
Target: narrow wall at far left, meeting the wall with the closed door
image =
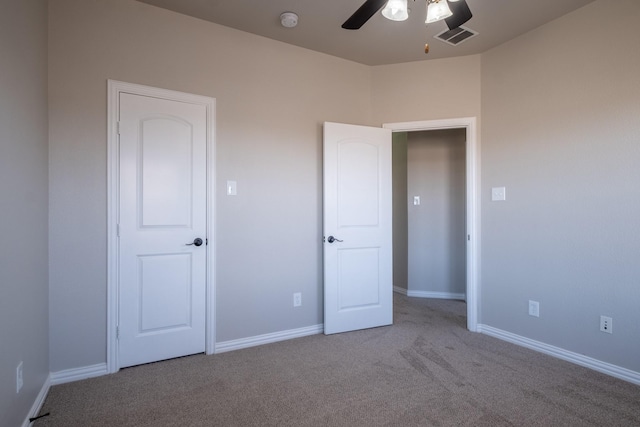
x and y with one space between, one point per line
24 294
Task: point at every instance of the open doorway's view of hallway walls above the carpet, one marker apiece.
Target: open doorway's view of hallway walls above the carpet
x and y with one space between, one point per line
430 218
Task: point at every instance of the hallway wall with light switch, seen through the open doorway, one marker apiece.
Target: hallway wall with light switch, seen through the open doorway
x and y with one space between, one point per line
436 172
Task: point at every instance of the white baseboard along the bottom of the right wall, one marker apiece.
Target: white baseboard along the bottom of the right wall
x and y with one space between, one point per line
560 353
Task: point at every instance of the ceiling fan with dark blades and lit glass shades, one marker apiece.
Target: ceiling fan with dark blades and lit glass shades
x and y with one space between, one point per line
454 12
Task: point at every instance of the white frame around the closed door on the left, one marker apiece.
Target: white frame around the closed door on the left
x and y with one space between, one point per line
115 88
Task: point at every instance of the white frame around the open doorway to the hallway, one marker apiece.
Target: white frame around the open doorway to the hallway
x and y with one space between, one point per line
472 202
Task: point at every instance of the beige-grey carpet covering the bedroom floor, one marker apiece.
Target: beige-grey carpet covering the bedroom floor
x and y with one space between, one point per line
425 370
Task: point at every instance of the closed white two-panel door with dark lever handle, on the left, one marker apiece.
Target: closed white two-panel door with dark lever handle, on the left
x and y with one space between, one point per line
162 211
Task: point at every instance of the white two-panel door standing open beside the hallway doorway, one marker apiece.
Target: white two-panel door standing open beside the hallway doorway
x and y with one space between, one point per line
358 275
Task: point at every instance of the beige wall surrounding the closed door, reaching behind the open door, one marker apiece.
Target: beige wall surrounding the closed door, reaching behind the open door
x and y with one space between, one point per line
271 101
